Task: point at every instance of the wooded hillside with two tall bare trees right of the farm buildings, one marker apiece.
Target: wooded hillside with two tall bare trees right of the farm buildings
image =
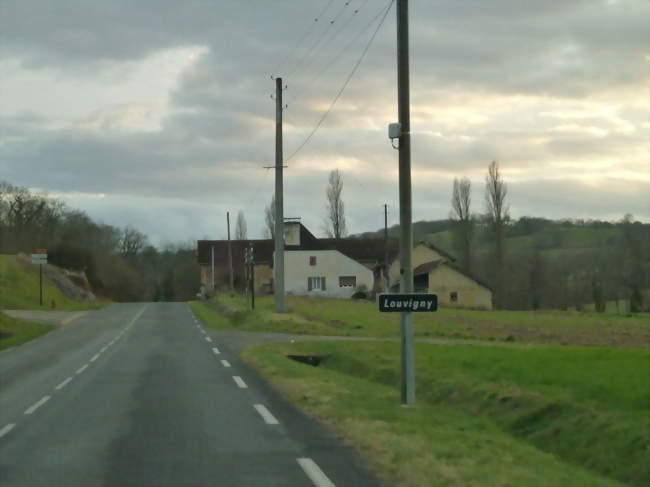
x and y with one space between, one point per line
537 273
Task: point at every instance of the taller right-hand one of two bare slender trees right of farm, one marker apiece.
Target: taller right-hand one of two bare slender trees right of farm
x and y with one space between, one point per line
497 217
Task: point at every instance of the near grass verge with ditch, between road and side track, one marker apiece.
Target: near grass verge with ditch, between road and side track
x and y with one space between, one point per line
485 416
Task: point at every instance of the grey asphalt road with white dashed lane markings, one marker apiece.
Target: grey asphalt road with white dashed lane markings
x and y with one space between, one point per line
142 395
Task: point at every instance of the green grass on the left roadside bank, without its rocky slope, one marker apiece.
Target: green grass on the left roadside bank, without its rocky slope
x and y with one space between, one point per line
19 289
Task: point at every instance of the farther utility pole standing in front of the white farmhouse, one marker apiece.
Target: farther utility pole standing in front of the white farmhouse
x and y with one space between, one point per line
278 269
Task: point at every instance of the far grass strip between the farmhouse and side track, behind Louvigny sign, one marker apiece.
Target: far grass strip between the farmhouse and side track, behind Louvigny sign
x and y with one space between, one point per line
338 317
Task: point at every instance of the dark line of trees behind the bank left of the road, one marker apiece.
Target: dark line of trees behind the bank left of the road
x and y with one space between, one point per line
120 263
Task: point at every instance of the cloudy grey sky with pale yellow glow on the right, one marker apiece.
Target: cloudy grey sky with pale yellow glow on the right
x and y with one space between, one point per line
157 113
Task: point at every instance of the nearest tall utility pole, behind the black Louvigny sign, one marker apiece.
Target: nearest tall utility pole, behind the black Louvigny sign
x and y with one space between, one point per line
405 210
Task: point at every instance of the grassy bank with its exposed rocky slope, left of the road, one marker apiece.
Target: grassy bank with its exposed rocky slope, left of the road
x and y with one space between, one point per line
19 287
